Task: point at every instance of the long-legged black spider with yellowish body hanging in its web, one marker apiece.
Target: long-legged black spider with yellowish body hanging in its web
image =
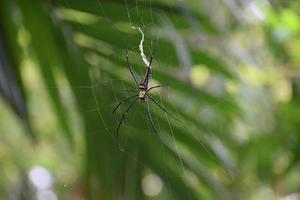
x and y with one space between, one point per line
141 96
